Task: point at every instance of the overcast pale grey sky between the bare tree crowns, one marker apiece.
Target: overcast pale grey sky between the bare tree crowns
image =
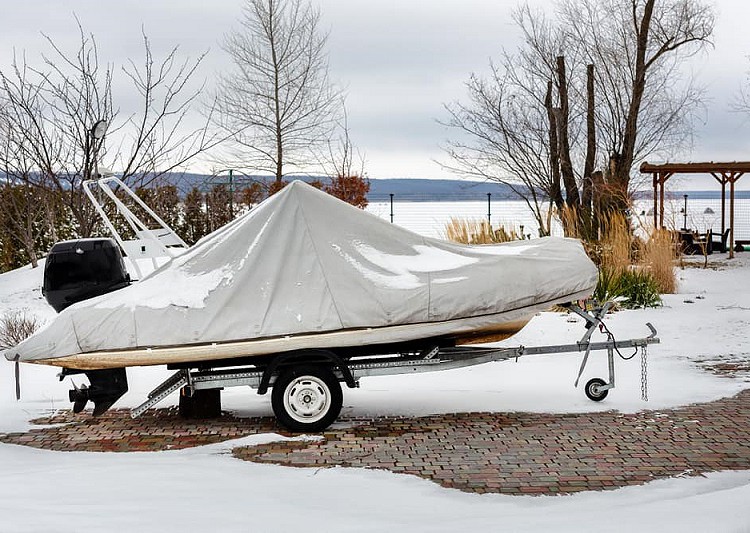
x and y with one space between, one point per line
399 60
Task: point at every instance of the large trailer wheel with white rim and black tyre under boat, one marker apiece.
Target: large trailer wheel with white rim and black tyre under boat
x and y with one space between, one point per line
306 398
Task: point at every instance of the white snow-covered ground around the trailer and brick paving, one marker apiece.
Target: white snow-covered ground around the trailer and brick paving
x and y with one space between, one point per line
205 488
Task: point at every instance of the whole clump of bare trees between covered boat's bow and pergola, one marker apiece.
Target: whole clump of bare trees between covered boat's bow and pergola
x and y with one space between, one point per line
540 115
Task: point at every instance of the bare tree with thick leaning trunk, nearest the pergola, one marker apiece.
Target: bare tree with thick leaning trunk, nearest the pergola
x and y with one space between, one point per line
639 47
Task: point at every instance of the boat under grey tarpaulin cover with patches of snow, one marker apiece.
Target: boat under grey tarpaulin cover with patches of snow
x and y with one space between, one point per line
305 270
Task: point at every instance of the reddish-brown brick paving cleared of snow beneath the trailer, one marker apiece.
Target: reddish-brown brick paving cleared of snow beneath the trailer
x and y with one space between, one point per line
512 453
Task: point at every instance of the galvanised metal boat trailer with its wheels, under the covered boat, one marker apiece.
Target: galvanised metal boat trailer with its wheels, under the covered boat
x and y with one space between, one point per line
307 394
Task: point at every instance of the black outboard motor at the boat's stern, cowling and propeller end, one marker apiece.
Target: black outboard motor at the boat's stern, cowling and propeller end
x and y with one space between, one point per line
75 271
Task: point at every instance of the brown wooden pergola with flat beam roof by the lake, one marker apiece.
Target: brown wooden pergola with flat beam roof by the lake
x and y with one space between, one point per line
724 173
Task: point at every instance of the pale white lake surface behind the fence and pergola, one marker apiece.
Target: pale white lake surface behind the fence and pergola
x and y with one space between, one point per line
431 218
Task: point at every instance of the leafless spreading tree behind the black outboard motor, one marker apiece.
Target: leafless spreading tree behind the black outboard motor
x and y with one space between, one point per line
55 103
